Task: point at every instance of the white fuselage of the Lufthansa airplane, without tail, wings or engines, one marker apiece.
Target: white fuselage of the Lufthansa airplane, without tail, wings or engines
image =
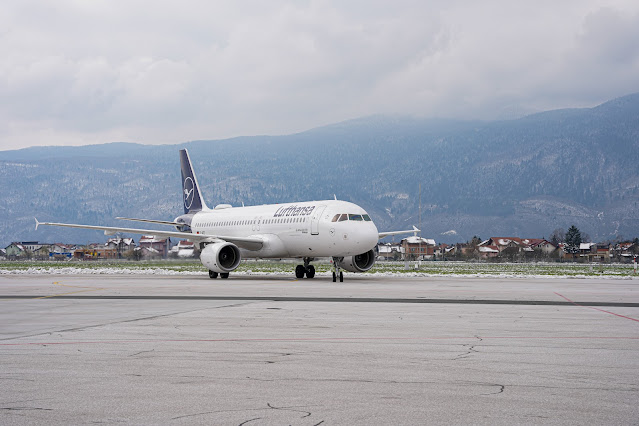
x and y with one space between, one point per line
307 229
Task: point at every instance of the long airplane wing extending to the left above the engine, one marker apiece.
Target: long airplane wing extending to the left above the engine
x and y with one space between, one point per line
249 243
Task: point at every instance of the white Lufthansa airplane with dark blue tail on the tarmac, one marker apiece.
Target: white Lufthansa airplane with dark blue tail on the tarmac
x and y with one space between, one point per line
305 230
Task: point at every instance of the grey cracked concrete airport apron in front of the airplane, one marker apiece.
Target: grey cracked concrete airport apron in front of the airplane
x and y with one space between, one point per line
273 350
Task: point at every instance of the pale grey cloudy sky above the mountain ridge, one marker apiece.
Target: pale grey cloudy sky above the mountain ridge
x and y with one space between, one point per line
83 72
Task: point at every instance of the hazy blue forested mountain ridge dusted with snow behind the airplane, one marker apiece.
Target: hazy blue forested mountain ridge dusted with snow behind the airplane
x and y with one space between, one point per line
521 177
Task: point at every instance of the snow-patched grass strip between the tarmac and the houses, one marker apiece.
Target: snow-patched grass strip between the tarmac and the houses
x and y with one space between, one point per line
426 269
